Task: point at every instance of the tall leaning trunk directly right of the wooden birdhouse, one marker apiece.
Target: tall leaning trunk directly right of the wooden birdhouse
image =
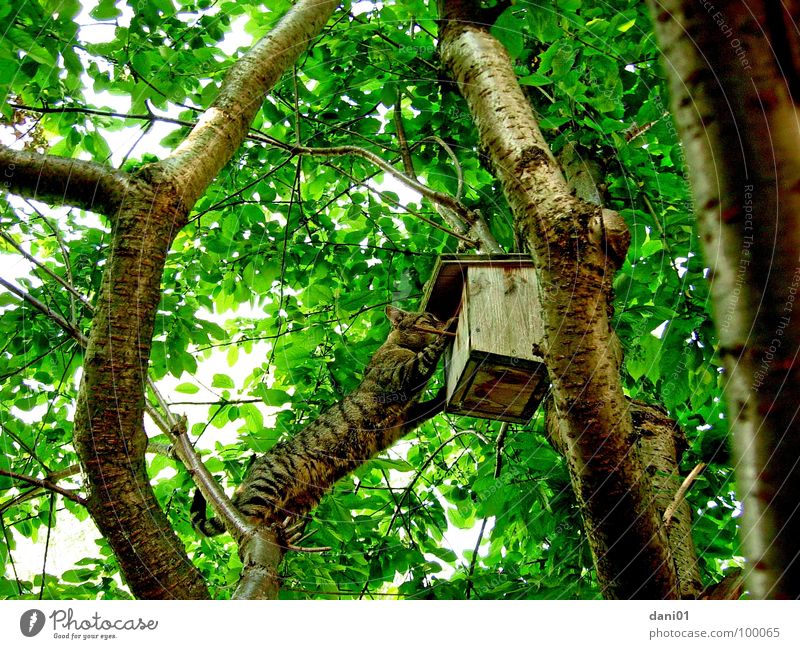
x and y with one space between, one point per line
565 237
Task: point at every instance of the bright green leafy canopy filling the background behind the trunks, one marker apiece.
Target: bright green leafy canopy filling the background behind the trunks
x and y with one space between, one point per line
273 294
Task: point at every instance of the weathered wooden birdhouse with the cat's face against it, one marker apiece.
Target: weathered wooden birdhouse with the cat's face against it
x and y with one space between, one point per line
493 368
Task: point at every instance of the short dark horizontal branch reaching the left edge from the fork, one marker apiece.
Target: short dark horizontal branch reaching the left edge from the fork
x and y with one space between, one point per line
62 181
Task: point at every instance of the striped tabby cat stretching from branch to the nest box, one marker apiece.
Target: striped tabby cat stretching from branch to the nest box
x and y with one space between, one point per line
291 478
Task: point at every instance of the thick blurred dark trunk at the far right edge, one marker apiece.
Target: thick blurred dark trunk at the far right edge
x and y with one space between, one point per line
734 78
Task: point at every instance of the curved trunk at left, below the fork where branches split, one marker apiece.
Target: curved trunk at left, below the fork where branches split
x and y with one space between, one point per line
109 433
